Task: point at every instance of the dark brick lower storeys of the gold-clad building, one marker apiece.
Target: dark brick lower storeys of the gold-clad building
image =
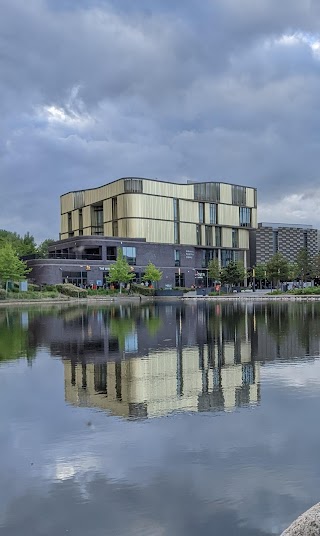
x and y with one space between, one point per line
51 270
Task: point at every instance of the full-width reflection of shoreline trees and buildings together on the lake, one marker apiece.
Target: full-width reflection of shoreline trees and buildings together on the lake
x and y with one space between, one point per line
151 360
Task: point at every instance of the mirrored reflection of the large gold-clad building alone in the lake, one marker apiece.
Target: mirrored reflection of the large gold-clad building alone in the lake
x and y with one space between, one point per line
191 359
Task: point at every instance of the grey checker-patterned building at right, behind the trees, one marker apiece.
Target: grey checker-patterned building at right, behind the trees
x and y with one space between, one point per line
288 239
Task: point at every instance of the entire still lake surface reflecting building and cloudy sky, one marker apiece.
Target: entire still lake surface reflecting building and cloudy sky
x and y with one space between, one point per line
158 420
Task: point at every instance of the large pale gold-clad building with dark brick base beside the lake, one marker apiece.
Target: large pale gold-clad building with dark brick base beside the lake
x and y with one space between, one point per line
178 227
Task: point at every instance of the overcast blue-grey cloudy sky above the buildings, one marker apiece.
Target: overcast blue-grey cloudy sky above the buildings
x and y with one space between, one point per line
95 90
